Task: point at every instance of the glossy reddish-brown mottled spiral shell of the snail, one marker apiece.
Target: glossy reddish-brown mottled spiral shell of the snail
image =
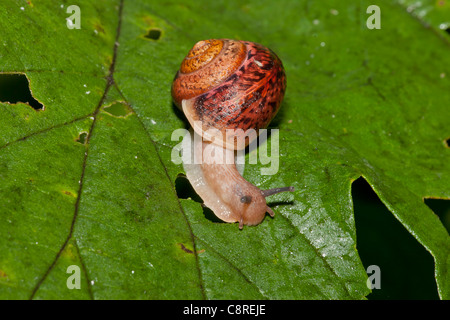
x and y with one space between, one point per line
229 85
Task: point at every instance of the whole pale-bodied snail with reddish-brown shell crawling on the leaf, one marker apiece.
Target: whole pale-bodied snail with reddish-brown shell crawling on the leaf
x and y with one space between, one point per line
228 86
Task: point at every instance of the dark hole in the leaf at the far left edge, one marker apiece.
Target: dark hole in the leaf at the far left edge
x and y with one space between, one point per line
14 88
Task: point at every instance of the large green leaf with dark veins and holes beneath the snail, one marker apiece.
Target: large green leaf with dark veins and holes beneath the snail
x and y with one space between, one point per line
89 181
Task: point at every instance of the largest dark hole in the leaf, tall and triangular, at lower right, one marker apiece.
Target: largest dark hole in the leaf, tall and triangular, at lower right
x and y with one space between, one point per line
407 269
